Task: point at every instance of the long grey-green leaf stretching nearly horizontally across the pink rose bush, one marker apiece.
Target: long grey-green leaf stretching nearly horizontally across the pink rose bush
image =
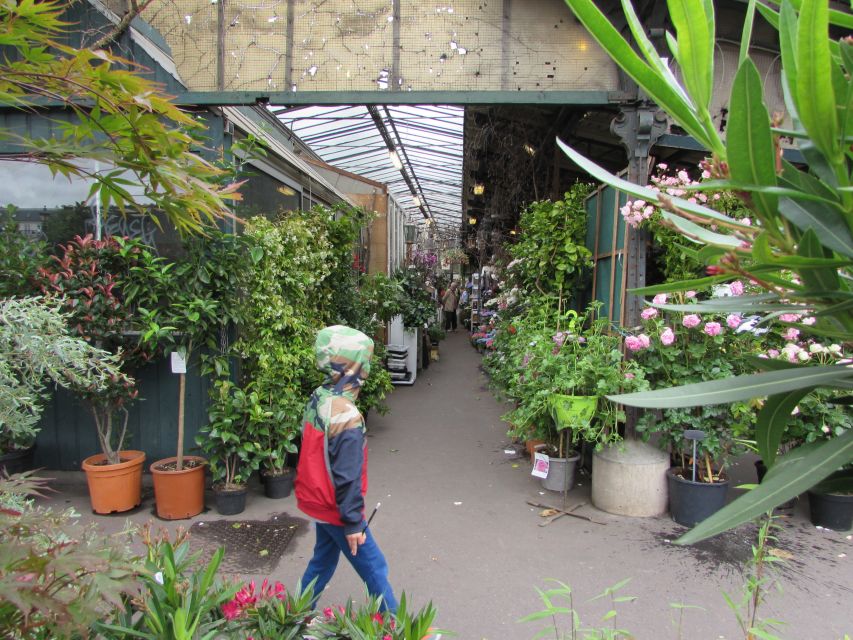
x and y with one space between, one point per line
736 388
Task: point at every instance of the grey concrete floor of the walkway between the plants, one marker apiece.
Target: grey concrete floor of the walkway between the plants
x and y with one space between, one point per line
456 529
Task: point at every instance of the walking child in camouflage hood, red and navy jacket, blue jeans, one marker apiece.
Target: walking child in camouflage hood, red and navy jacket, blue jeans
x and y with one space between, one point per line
331 478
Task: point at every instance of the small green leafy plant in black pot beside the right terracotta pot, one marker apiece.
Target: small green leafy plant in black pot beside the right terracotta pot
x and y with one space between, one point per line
231 455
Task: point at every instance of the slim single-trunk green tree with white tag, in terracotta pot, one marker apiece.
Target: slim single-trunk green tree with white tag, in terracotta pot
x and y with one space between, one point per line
201 304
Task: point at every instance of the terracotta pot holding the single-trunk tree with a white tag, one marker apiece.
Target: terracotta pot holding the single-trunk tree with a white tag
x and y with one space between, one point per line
179 494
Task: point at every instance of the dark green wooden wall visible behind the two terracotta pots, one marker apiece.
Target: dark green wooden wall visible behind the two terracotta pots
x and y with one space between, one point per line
68 430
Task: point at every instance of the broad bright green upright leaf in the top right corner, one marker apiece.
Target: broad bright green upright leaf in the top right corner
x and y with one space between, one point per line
814 90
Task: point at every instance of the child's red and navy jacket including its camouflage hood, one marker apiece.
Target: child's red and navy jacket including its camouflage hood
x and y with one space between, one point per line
331 479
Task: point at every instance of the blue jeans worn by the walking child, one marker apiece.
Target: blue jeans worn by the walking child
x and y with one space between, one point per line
369 563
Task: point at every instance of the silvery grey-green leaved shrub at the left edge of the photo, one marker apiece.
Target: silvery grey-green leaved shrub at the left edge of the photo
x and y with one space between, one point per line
36 346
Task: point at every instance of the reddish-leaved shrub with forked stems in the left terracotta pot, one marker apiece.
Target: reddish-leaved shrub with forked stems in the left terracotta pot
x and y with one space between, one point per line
92 279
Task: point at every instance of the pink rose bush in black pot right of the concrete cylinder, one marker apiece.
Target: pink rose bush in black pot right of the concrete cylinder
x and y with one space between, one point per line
684 348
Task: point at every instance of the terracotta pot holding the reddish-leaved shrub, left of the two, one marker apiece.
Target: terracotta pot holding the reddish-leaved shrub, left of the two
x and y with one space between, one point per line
115 487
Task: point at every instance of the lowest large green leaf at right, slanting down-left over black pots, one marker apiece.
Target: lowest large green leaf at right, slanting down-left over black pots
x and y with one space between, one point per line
787 482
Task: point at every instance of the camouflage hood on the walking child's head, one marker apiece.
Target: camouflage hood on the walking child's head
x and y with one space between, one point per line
343 354
